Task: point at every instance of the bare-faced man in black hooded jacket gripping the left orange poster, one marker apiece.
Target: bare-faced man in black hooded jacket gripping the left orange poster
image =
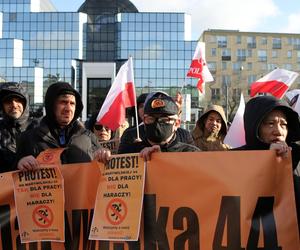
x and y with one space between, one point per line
59 130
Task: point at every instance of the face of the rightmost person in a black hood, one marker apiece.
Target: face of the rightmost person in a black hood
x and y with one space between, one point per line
274 127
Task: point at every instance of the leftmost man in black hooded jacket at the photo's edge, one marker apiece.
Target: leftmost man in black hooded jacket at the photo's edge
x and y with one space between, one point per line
15 109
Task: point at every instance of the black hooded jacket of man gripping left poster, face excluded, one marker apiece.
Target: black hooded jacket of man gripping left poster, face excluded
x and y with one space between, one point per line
80 143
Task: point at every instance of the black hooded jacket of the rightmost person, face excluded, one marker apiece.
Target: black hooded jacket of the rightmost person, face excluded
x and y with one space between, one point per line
256 110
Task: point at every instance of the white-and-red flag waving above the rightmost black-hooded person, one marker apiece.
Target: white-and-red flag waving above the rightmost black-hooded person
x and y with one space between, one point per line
277 82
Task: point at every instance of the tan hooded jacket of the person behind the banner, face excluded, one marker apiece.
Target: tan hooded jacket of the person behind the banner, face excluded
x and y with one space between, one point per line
210 143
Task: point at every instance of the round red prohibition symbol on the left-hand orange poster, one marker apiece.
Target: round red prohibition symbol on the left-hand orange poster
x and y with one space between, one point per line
42 216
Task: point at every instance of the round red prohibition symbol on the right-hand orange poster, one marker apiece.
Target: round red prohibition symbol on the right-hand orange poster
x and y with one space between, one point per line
116 211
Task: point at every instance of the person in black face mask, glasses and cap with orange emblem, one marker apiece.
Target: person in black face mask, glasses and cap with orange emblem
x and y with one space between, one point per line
165 135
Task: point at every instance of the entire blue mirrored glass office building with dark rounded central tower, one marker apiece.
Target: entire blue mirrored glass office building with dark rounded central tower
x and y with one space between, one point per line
39 45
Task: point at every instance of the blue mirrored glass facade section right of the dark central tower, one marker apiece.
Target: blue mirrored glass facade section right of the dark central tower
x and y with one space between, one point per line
156 42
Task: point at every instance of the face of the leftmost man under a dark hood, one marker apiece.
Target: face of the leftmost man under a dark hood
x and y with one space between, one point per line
13 107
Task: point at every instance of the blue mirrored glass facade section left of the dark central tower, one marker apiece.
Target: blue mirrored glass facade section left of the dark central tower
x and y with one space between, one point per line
48 40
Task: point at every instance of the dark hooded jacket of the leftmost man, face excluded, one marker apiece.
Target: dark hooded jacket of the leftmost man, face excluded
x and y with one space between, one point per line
10 129
